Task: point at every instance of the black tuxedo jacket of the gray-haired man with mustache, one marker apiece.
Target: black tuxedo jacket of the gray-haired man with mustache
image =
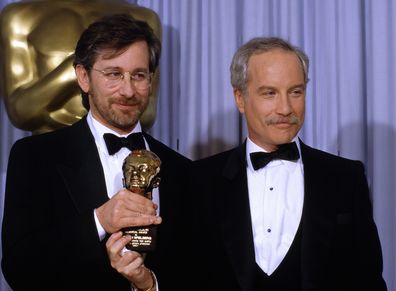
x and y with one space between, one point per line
340 248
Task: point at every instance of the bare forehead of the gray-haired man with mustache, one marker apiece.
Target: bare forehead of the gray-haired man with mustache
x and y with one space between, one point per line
275 64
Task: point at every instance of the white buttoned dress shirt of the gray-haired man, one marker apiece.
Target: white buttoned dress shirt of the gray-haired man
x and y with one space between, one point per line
276 196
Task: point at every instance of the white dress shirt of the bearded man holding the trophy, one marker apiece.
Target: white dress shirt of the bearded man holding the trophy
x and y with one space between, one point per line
112 164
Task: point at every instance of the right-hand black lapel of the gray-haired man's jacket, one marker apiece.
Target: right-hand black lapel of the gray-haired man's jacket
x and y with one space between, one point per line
317 220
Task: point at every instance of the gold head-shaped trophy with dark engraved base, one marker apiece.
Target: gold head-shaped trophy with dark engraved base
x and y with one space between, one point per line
141 174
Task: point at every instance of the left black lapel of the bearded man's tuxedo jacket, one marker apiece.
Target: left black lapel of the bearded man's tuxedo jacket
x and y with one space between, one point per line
81 168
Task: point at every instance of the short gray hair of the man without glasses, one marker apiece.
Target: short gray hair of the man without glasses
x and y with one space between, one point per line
240 61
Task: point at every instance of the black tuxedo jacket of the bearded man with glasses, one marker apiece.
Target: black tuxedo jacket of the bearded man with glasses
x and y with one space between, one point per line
50 241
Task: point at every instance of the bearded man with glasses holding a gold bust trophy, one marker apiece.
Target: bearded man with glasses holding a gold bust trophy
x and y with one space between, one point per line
59 218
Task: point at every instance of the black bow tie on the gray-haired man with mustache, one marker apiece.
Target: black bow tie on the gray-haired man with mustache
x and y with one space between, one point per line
288 151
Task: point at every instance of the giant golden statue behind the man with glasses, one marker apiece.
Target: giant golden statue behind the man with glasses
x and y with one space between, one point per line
37 41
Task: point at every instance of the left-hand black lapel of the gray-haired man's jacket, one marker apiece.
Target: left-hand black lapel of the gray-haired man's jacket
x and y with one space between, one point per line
234 212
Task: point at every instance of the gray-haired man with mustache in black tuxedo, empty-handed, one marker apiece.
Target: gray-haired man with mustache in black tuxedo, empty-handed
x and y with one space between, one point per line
273 213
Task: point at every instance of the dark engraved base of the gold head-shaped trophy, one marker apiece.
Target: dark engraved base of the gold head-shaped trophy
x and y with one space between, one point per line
143 238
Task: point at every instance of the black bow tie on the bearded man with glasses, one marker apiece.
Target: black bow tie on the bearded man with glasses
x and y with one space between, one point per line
134 141
